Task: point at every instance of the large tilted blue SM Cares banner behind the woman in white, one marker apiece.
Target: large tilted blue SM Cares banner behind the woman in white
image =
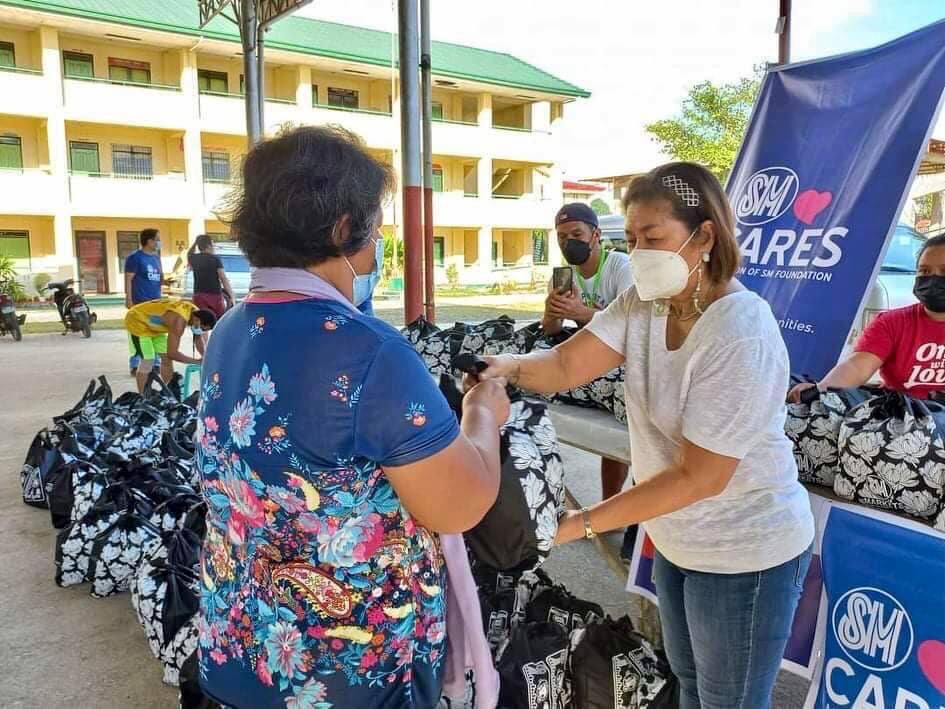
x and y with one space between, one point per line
821 178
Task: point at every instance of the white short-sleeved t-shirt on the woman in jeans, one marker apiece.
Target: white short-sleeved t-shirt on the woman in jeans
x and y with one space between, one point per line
724 391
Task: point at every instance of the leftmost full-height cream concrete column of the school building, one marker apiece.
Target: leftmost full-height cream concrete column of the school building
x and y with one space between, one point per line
58 152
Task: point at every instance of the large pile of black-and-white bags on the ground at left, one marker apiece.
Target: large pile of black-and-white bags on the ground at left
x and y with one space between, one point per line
118 479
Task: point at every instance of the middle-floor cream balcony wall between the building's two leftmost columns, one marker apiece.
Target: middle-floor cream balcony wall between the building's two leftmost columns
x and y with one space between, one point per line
97 194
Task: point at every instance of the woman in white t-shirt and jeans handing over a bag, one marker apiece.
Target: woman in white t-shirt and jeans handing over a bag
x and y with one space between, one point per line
716 483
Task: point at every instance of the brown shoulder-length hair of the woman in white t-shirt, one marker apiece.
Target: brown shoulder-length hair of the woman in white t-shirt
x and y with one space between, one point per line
669 183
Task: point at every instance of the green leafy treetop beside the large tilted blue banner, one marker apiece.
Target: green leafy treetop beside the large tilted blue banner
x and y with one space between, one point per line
711 124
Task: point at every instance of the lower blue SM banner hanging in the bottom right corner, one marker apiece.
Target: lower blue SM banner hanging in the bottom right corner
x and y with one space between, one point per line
884 637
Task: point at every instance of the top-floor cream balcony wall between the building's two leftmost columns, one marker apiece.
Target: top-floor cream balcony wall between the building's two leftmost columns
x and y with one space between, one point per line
125 103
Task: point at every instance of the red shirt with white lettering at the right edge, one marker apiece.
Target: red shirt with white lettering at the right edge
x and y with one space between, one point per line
912 347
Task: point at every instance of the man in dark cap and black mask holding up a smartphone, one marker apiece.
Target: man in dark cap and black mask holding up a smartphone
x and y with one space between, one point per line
598 277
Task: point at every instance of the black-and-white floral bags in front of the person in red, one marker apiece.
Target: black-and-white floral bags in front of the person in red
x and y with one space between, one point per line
875 447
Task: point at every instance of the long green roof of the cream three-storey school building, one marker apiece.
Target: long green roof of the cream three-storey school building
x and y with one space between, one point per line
314 37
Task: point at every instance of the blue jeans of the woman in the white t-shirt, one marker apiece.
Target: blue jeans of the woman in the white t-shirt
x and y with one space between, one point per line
725 633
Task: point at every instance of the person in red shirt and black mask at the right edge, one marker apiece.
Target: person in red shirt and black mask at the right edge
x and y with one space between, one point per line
906 345
